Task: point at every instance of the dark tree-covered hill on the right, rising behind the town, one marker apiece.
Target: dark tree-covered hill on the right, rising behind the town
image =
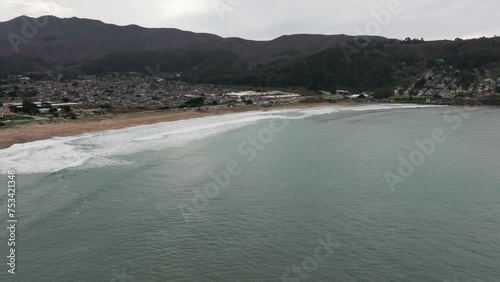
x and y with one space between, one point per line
369 65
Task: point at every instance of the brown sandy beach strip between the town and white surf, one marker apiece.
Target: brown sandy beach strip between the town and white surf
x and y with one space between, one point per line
36 130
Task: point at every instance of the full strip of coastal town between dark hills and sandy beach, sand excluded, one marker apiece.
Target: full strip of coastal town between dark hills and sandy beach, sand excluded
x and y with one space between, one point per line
54 96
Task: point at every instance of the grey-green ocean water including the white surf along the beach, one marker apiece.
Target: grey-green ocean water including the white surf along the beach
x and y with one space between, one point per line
376 192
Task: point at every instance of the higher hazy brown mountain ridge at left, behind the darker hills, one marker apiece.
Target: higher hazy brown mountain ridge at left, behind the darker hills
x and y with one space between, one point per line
66 41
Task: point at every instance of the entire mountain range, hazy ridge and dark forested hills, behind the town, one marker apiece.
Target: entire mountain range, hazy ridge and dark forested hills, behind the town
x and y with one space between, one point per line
79 46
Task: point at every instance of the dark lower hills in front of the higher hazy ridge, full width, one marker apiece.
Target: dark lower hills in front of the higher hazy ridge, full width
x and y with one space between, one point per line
359 64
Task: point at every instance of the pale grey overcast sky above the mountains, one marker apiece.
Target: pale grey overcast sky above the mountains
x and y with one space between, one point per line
268 19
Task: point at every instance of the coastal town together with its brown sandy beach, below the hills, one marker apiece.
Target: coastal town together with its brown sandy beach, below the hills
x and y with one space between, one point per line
40 106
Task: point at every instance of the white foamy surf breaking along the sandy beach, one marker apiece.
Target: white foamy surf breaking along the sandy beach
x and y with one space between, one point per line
100 149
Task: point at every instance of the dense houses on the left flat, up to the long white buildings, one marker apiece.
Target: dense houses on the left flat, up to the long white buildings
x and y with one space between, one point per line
129 91
